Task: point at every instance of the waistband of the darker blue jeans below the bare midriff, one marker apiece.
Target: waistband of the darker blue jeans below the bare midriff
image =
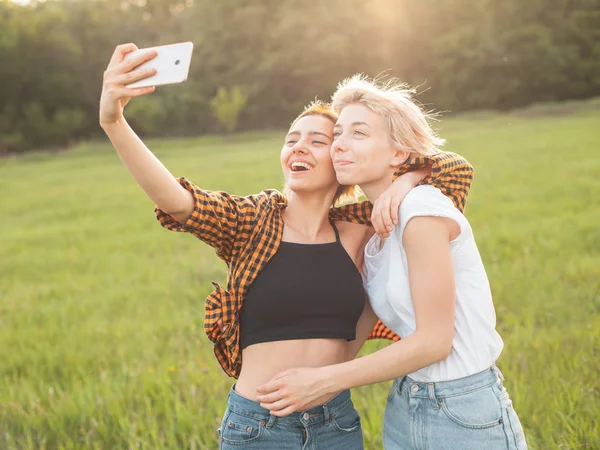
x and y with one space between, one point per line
317 415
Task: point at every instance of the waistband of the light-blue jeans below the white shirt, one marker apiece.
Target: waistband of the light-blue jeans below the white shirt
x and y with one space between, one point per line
449 388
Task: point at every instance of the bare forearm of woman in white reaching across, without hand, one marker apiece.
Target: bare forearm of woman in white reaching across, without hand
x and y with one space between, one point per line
403 357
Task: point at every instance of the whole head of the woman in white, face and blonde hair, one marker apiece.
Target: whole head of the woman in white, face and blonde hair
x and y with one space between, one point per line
380 126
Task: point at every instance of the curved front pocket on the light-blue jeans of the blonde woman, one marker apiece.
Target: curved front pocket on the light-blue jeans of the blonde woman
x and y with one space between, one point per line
477 409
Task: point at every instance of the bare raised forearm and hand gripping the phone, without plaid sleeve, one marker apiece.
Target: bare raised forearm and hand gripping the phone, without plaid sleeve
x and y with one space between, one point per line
150 174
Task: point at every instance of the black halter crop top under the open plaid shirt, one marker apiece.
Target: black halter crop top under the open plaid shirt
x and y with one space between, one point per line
306 291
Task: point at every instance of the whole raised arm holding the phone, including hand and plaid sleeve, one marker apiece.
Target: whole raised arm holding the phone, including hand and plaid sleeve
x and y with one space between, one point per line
221 220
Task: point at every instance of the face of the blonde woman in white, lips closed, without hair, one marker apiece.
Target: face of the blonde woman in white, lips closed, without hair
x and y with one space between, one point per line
362 151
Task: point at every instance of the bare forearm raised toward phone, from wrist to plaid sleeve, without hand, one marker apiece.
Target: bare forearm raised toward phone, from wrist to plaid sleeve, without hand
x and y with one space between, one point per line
152 176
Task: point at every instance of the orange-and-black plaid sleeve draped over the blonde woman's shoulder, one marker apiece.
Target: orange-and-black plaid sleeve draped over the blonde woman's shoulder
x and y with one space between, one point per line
450 173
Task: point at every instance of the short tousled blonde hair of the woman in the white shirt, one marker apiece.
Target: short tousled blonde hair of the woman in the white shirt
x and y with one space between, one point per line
409 126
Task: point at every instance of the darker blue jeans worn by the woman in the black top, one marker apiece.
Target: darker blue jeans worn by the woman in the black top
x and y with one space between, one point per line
331 426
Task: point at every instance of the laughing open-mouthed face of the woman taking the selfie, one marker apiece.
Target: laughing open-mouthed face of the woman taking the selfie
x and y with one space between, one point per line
305 158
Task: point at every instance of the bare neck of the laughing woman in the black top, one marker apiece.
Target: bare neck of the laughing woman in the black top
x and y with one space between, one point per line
308 214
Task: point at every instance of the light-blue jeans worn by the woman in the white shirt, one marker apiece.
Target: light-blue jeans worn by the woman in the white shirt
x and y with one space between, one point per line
474 412
